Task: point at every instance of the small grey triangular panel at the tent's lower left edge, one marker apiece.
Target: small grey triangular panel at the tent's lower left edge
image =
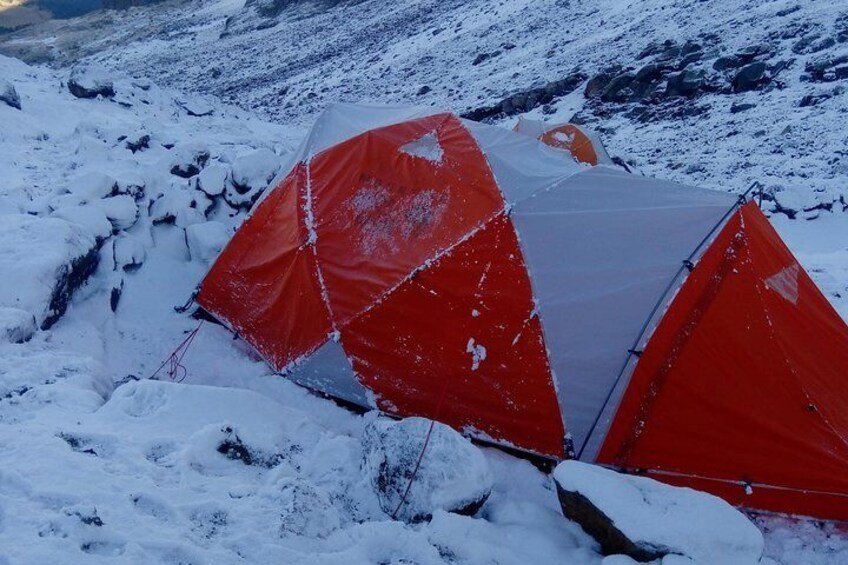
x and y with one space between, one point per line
329 369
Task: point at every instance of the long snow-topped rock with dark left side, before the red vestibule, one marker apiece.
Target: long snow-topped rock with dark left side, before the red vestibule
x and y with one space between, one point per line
647 520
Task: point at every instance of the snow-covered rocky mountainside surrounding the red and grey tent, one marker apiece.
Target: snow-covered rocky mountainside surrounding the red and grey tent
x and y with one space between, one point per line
129 163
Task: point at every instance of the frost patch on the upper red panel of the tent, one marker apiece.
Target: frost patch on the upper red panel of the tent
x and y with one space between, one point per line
388 216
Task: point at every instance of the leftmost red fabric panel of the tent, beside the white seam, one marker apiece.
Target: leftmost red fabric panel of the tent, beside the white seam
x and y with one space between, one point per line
263 283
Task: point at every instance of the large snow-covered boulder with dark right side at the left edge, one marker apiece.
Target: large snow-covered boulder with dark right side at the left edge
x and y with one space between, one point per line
42 262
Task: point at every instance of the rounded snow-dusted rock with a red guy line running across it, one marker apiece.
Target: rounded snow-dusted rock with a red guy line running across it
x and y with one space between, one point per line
453 475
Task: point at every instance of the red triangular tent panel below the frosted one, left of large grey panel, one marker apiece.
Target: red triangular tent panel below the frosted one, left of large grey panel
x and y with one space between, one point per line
460 342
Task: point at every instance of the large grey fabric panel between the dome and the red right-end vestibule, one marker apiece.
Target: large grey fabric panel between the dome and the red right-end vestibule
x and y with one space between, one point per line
601 248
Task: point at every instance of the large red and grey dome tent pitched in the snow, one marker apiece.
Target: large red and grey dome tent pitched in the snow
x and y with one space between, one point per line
426 265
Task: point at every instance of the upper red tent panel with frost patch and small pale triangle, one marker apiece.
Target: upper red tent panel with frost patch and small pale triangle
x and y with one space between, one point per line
388 200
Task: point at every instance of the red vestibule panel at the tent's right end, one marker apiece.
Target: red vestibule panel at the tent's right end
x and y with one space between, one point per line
743 381
